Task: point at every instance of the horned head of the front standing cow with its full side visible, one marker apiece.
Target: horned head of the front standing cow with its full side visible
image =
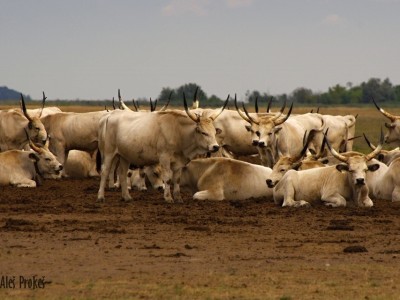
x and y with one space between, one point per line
205 131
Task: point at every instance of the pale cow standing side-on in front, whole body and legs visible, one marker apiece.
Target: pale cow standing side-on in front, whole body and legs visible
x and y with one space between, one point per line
171 138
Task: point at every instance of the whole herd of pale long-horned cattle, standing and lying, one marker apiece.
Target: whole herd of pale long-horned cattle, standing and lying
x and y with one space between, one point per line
303 158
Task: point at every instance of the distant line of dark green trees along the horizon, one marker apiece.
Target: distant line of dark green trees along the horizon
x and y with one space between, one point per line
374 88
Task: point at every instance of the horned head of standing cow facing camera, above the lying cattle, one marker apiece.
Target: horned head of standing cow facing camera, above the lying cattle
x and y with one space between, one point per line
264 127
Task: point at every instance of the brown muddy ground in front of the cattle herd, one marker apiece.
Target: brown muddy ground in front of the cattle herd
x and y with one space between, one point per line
149 249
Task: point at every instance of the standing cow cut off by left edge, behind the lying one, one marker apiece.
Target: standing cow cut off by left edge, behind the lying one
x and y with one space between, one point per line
13 128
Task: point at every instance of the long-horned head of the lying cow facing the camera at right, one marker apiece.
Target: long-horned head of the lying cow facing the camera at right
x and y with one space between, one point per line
356 166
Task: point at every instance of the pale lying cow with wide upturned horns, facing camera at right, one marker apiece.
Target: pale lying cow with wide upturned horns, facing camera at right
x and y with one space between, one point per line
333 185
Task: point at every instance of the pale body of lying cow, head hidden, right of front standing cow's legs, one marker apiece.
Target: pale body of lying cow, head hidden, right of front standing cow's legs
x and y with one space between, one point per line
221 178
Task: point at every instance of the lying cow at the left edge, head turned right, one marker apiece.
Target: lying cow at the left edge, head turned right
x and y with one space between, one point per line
24 168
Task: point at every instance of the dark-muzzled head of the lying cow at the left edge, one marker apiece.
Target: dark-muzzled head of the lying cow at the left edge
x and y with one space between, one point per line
47 164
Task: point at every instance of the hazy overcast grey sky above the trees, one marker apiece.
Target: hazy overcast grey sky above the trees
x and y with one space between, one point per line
87 49
